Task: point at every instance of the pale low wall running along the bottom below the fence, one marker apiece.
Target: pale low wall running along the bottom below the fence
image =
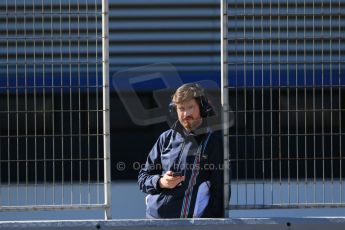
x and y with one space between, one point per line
215 224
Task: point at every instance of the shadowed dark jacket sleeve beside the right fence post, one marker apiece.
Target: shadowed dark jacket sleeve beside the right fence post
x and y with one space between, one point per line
215 206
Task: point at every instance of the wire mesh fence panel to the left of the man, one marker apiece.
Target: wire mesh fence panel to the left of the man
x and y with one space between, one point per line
53 147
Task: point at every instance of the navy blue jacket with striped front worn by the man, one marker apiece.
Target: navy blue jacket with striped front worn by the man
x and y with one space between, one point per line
199 157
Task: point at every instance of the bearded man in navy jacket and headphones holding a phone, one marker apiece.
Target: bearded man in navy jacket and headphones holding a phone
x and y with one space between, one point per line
183 174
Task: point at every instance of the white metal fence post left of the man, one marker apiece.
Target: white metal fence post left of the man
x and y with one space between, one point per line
106 112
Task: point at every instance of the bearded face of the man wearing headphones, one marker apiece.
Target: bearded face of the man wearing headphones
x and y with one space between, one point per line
189 114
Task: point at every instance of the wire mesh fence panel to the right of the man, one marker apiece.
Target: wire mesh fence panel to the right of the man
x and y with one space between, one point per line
284 78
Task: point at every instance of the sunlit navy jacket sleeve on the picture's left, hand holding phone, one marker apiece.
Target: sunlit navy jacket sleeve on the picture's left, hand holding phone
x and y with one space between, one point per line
150 174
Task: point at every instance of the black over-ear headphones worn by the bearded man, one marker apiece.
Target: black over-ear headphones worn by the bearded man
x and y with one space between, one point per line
206 110
